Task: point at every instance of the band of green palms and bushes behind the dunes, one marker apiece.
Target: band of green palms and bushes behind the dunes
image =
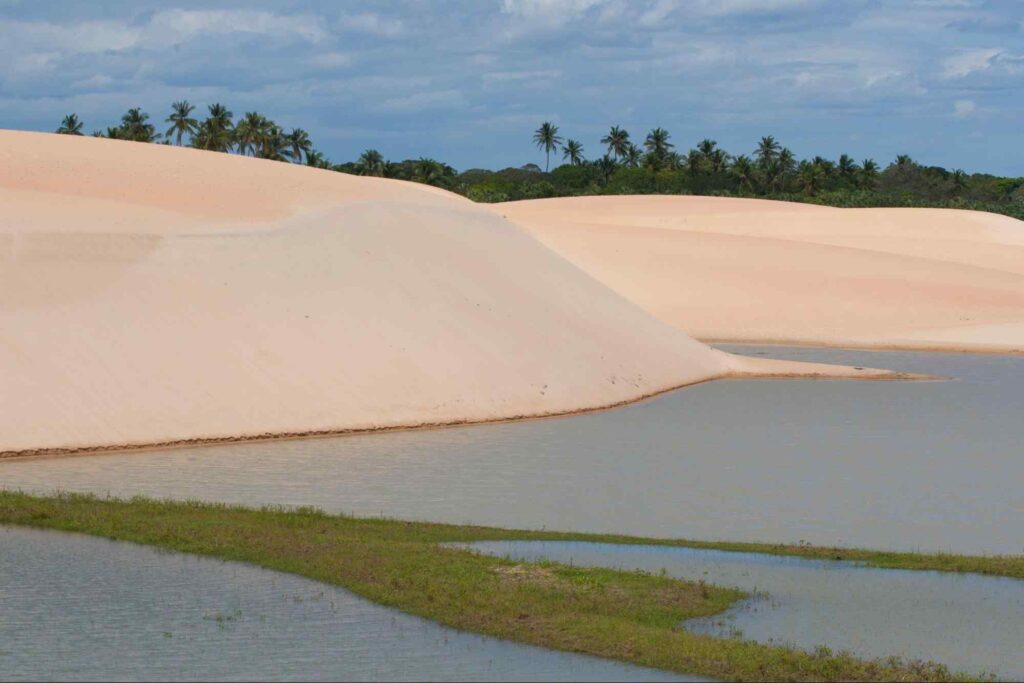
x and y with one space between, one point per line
772 172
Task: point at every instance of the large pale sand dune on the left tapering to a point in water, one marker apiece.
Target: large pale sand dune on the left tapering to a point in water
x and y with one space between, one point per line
153 295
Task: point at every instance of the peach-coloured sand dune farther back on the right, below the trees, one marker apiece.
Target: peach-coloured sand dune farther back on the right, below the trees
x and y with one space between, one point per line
754 271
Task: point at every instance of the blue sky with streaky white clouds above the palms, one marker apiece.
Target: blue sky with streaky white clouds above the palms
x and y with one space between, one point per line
468 81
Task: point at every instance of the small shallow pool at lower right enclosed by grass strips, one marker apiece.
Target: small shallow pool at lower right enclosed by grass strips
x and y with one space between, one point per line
971 623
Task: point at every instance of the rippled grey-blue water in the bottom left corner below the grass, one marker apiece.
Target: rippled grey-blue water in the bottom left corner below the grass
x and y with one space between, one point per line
75 608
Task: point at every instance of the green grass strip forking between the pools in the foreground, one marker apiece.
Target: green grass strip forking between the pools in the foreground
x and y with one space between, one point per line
630 617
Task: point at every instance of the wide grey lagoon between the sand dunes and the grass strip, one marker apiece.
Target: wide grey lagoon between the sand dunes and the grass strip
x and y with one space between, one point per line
900 465
